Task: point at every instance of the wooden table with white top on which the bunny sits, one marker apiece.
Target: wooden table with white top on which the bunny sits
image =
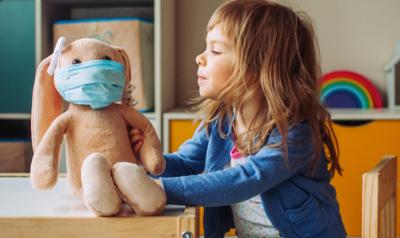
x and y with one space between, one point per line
25 212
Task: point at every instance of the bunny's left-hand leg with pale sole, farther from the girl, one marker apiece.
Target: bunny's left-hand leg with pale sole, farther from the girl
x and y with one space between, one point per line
99 192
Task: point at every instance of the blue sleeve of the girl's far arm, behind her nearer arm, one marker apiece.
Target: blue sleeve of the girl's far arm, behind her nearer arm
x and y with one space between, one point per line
190 157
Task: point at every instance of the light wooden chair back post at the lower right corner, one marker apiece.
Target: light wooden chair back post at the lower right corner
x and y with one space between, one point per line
379 200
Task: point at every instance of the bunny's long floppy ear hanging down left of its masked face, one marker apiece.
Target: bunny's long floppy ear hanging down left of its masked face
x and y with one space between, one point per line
47 104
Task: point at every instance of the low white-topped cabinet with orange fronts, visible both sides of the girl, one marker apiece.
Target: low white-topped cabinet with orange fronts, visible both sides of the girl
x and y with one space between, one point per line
364 137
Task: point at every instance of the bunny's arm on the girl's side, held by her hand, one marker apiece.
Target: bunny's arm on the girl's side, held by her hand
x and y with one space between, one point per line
150 154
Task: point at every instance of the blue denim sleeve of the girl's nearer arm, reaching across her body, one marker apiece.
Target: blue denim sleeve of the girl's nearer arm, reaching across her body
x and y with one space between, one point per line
264 170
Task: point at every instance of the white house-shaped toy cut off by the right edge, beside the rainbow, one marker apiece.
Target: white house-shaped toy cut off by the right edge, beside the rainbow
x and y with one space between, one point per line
392 74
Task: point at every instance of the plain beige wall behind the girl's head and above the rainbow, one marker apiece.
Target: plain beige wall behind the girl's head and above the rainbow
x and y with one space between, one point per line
358 35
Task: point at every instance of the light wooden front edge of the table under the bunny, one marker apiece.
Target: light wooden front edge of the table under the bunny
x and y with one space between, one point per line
114 227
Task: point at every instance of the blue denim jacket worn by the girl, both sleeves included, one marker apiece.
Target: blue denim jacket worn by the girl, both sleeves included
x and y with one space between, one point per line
298 204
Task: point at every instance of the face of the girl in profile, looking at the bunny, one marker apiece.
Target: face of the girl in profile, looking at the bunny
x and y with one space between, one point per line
215 63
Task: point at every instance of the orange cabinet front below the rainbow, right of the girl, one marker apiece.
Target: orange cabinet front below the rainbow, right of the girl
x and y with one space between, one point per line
361 148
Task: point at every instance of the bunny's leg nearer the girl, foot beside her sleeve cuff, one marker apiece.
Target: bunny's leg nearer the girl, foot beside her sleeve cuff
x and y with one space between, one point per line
144 195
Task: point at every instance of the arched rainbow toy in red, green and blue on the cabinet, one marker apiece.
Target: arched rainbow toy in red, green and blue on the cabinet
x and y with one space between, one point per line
345 89
